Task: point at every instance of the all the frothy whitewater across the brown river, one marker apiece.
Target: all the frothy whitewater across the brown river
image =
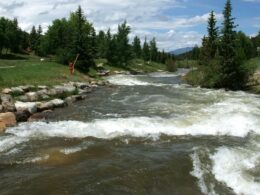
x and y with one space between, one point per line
232 114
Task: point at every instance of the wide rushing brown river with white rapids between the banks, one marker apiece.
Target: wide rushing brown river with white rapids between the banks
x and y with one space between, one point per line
148 134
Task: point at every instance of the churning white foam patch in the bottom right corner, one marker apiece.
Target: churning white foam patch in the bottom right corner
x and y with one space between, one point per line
234 167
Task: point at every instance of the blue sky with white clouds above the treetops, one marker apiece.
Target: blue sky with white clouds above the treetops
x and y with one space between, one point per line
174 23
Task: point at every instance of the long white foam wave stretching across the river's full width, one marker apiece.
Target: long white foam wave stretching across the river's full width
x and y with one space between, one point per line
236 124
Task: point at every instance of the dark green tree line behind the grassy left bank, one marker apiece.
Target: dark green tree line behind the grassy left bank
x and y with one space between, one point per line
65 38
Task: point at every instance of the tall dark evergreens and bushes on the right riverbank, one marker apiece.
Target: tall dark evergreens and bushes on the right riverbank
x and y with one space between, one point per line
224 52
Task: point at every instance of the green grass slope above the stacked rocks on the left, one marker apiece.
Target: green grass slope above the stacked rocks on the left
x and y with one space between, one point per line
34 72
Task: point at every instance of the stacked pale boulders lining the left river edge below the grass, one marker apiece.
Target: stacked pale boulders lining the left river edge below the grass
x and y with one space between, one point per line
34 103
